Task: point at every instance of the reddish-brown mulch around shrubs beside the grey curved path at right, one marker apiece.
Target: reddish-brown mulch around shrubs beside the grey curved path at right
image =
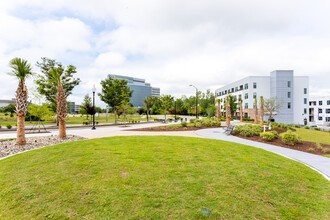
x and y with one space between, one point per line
303 146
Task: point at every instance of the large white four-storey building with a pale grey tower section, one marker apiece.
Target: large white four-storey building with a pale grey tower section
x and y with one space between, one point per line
291 90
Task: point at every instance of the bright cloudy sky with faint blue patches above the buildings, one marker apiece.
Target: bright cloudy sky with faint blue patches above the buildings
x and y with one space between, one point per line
171 44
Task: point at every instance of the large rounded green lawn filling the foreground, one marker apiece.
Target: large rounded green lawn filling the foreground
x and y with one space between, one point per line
159 178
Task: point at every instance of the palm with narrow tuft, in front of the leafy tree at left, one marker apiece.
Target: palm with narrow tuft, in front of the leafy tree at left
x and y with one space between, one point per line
61 108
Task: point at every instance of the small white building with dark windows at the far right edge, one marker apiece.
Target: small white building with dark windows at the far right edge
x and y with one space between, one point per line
319 110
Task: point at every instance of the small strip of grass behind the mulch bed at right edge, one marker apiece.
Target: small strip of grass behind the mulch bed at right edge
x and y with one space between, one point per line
314 136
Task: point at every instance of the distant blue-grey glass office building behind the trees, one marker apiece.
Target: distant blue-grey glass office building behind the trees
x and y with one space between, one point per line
141 89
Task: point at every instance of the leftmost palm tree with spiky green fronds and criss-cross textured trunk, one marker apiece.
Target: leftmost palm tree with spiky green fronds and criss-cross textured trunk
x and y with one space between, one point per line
21 69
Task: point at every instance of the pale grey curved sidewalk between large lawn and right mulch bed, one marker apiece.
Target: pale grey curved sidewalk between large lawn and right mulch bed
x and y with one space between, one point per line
318 163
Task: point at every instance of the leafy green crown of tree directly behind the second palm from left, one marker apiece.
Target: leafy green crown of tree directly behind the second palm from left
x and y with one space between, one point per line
48 87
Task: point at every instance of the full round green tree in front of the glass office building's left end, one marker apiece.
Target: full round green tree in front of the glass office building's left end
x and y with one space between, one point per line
115 93
